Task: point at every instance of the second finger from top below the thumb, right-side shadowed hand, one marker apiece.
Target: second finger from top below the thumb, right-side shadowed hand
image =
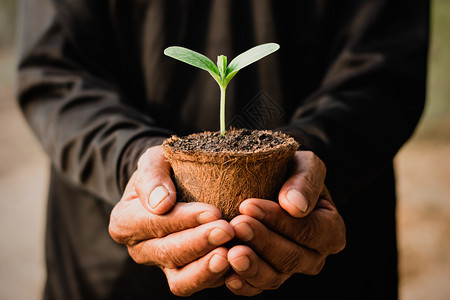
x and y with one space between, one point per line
287 257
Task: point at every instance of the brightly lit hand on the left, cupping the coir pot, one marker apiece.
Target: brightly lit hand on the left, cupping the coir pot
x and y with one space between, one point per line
183 239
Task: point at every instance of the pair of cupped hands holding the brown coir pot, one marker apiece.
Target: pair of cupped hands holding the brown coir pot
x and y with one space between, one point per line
188 240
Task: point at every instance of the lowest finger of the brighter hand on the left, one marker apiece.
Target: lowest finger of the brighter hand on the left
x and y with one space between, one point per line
207 272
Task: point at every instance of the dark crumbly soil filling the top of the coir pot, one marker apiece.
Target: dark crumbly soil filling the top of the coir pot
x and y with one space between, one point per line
238 140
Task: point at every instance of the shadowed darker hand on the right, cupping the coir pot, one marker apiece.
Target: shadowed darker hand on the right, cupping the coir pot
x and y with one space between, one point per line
294 236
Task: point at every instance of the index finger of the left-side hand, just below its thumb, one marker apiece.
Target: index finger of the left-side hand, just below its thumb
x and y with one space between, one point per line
131 224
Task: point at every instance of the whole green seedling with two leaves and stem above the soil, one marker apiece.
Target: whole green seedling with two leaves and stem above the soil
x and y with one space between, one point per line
222 73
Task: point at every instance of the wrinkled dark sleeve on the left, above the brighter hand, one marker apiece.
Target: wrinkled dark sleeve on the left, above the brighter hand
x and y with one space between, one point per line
70 92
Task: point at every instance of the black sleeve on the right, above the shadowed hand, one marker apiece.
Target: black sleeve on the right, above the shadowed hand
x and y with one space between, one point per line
372 94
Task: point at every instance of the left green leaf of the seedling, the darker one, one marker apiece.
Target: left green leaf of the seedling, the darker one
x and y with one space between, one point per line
193 58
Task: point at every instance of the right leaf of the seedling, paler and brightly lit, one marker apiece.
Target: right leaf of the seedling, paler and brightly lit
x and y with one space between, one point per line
248 57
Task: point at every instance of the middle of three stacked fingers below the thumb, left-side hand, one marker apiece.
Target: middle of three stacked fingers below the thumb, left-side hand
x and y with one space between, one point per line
181 248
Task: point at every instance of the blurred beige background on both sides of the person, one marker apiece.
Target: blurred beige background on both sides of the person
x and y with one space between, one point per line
422 166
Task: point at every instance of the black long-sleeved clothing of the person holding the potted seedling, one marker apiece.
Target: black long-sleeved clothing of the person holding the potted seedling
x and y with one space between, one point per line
348 83
